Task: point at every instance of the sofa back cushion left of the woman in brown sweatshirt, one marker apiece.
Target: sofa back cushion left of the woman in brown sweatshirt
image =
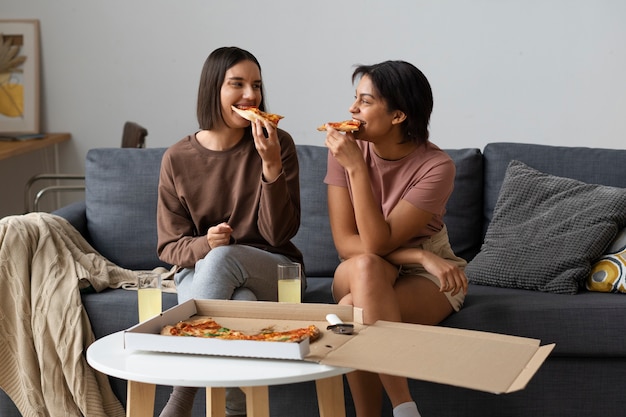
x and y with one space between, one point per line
121 198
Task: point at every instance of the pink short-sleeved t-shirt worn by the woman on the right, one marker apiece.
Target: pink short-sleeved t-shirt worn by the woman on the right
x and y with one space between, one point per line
424 178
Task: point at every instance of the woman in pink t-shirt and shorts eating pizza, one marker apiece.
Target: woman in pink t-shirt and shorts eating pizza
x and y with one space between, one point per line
387 190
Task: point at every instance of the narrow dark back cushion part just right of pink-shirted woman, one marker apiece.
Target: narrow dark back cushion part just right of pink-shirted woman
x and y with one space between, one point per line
465 206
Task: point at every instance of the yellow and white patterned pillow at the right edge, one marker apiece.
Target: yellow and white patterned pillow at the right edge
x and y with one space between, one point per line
608 274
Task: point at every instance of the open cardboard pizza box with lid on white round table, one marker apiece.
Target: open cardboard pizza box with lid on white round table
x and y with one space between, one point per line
482 361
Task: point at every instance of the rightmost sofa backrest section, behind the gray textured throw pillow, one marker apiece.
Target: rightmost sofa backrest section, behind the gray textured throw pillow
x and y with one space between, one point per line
590 165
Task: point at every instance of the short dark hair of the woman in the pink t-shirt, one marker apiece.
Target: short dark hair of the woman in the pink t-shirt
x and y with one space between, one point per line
404 88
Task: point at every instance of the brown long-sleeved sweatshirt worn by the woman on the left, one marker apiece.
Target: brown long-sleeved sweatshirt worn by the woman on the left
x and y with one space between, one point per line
200 188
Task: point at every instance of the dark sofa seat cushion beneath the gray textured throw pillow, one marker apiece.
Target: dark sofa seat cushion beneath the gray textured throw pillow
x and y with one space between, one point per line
587 324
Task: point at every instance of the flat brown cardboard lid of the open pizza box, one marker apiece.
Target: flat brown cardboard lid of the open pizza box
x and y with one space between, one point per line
482 361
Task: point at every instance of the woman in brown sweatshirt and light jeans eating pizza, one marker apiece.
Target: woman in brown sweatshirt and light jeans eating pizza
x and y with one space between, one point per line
229 200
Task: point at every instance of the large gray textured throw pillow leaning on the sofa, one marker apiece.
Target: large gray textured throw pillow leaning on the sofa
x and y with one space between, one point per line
546 231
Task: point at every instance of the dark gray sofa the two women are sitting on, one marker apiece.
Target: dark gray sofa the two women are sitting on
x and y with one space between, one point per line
584 376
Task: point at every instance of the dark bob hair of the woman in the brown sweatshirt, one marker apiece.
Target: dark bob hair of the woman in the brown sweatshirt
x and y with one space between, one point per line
209 109
